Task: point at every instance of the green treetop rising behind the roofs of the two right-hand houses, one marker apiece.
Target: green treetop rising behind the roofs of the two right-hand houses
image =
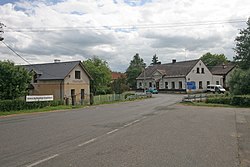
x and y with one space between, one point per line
212 60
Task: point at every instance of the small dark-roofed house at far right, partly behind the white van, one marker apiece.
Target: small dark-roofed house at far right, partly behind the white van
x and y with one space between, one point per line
224 70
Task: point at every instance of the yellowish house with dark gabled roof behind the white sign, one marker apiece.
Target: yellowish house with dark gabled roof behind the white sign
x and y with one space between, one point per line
67 81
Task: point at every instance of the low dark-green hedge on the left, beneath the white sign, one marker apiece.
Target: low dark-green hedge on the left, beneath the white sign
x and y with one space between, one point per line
16 105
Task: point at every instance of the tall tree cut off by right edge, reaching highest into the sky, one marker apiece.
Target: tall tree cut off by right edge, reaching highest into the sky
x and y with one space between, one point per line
242 47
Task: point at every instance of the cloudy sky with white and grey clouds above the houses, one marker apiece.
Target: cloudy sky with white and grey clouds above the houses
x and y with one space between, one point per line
115 30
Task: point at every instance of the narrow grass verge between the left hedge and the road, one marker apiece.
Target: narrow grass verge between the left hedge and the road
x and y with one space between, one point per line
45 109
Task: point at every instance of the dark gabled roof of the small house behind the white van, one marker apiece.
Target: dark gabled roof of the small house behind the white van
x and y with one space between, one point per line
223 69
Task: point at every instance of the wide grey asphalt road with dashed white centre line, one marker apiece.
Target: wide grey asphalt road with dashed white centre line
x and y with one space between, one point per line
152 132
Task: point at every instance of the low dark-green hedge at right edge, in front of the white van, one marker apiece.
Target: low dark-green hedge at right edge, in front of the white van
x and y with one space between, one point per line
242 101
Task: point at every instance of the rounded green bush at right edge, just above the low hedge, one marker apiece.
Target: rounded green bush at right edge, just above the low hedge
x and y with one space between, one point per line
239 84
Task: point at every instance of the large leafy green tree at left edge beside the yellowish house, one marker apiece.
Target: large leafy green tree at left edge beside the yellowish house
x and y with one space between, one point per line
14 81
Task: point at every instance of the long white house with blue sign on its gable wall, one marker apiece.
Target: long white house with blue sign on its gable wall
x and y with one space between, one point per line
183 76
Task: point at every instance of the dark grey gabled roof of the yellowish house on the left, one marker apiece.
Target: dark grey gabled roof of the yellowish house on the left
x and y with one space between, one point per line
54 71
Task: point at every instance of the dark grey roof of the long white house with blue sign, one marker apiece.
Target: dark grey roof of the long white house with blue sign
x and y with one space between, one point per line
178 69
